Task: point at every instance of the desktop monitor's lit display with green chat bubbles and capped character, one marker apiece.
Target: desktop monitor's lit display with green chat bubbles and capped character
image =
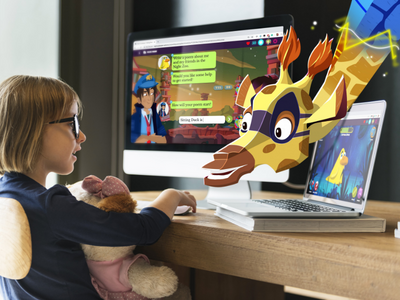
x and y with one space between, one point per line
184 89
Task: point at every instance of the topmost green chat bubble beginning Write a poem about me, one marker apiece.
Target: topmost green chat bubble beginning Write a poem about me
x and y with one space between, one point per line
194 61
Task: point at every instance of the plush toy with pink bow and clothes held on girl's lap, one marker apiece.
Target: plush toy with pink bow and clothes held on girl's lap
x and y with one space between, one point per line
141 280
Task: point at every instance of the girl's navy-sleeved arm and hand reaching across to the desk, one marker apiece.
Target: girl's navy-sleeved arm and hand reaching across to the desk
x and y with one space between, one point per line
80 222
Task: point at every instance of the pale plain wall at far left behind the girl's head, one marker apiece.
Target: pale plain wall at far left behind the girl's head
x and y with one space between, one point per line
29 40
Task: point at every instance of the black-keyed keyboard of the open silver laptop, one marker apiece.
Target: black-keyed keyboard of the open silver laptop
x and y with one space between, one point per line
295 205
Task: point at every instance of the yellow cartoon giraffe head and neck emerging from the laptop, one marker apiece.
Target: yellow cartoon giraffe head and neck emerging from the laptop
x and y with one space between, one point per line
281 120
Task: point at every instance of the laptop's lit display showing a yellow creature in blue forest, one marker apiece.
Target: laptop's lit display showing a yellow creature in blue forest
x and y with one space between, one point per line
342 160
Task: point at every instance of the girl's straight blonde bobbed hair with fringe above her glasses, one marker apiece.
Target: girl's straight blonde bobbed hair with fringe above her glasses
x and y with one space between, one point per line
27 103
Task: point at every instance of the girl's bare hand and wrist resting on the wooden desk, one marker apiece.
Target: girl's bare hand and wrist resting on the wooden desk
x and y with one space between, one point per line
170 199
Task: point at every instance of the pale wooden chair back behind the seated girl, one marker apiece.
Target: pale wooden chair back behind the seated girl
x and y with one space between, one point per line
15 240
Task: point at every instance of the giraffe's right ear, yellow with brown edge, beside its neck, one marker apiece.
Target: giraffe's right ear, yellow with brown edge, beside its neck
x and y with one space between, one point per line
334 109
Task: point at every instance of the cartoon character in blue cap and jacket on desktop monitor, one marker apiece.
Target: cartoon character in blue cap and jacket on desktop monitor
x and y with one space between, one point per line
146 126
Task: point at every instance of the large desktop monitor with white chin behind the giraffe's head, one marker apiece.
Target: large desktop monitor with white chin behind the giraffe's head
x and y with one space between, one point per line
192 74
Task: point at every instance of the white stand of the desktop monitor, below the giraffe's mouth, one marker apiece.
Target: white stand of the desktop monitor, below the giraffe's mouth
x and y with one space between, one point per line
238 191
